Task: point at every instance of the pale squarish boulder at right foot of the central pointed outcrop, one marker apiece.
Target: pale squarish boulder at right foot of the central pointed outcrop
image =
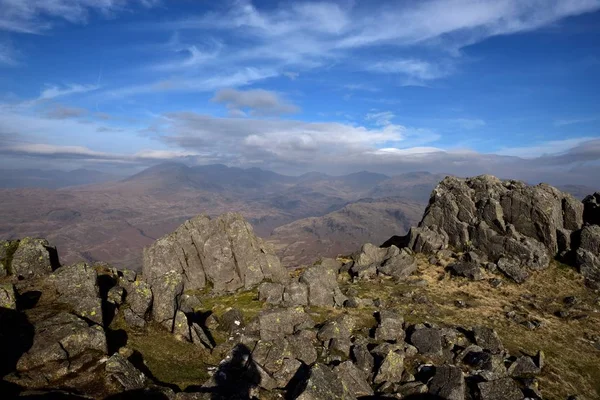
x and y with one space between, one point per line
323 289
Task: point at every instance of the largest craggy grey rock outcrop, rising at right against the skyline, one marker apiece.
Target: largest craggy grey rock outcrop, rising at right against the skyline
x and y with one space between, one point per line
498 218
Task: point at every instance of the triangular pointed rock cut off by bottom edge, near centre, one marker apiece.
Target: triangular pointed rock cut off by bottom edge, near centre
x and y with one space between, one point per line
323 384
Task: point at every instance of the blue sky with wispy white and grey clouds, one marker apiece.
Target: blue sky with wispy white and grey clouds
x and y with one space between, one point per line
507 87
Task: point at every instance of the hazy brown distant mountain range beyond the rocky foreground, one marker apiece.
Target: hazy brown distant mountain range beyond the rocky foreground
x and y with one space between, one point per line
93 216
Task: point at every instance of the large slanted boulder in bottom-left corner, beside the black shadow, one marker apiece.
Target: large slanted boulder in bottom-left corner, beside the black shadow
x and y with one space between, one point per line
63 344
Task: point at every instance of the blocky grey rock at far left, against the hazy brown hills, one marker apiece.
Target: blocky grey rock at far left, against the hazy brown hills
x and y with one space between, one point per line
33 257
